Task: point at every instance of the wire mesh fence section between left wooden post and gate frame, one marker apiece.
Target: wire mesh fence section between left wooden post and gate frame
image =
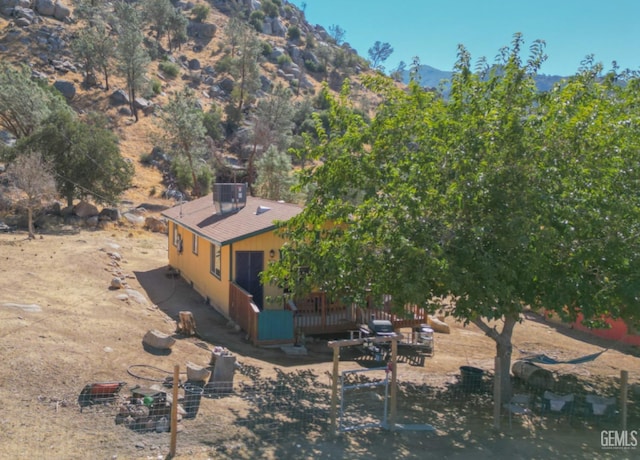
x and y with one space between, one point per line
258 415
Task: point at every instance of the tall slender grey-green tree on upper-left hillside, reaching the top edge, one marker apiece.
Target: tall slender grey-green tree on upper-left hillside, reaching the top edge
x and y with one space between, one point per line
132 56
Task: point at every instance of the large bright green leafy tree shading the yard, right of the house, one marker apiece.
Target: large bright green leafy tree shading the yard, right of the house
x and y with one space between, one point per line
498 200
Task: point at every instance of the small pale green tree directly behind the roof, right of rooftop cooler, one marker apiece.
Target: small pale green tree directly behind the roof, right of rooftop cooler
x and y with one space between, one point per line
275 175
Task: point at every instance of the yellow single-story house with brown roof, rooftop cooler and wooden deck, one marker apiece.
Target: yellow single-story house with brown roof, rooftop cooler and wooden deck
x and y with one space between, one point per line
221 243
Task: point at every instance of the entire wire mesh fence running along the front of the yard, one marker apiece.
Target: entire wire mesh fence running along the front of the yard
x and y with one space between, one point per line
273 413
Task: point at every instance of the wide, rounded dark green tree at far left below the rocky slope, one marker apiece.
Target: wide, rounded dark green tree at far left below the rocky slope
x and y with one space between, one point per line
84 155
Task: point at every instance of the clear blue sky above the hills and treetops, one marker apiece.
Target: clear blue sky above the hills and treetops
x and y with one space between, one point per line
432 30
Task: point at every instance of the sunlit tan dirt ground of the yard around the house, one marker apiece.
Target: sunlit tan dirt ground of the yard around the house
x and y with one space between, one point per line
62 326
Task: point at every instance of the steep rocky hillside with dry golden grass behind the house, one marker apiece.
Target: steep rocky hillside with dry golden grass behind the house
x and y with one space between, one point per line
45 46
